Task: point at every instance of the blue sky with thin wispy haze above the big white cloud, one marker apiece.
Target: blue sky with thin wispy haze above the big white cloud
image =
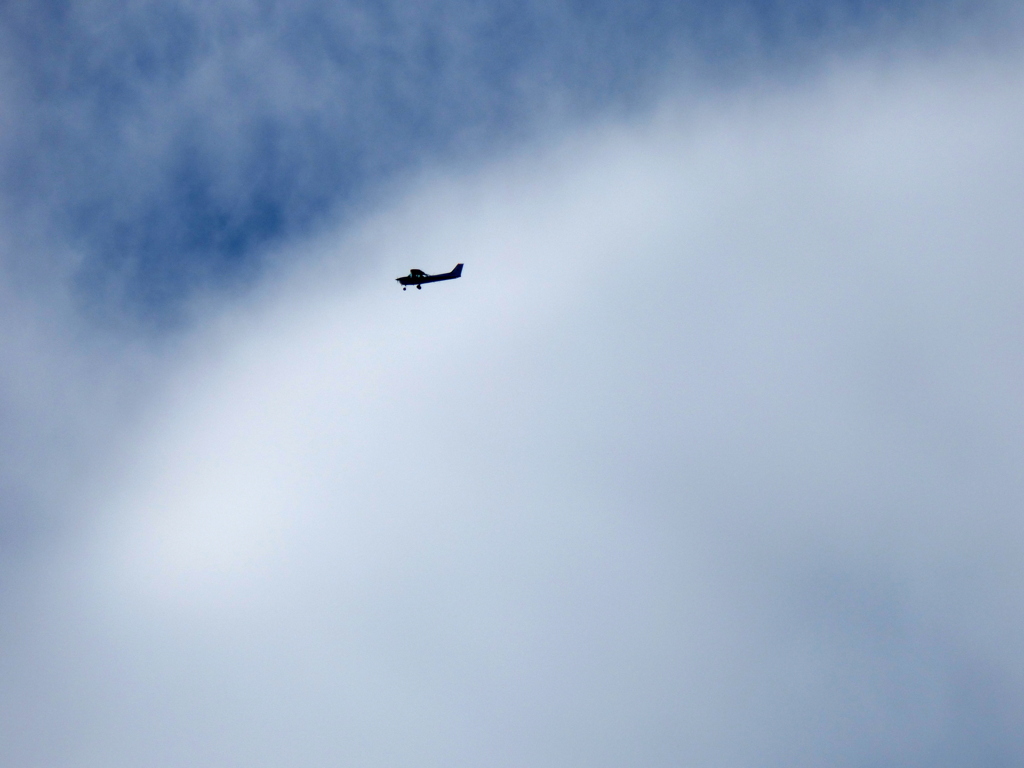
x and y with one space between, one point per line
173 144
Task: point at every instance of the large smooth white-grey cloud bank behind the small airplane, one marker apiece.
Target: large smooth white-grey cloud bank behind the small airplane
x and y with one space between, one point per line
711 458
